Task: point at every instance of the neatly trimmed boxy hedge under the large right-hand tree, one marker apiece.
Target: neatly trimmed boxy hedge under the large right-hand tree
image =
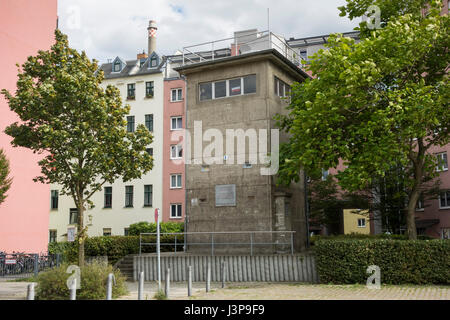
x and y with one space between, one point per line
400 262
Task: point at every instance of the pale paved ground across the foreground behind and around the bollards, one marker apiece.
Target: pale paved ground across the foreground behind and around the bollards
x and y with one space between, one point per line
264 291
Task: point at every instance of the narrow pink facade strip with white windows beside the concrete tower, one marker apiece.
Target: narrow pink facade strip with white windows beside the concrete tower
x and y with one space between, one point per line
174 195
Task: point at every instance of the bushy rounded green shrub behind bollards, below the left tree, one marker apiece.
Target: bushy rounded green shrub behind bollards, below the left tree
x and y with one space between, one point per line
52 284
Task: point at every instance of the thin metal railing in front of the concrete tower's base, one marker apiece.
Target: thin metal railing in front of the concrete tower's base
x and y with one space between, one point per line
246 241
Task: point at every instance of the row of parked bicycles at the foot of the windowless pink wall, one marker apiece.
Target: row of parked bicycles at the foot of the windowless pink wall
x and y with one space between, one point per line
24 265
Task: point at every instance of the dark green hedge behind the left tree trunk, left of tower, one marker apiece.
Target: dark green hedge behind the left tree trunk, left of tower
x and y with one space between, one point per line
115 247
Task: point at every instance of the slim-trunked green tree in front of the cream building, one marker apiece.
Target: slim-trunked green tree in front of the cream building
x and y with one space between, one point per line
78 126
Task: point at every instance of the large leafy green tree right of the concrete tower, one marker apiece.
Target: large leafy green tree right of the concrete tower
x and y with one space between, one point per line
377 104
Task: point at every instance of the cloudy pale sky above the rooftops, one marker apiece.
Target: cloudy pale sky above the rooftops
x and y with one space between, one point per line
109 28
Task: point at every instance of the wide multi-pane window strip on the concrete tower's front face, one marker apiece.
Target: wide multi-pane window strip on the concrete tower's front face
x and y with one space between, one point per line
227 88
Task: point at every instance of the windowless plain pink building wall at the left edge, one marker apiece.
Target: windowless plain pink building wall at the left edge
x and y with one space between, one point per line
25 27
